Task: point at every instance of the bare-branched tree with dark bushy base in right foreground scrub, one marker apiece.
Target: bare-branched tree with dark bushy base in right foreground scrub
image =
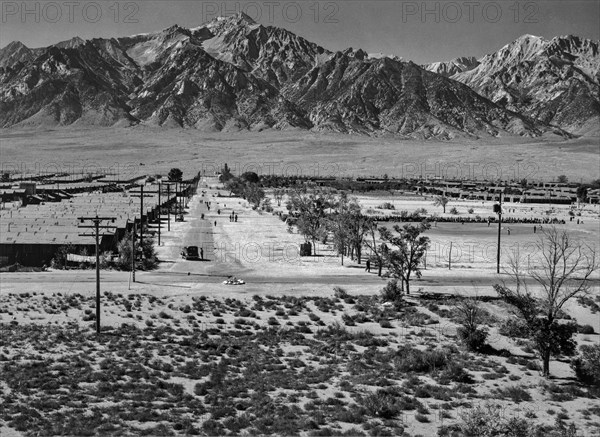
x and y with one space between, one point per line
565 268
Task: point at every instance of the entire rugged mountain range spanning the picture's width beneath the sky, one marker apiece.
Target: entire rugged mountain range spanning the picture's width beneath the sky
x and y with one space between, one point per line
234 74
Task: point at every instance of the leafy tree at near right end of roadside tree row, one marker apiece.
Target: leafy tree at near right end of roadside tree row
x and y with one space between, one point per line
407 248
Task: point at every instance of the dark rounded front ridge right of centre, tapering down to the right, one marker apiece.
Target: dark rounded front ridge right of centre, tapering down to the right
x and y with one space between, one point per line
354 94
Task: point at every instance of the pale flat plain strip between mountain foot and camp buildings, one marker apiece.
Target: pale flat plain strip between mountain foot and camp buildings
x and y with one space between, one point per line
143 149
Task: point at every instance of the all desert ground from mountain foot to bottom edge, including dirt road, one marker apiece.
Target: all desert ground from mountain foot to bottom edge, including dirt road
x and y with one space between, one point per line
305 346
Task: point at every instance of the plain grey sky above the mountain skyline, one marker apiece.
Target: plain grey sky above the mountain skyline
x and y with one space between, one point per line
423 31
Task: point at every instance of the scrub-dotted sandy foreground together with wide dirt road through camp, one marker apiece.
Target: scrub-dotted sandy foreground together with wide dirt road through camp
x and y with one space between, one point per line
287 353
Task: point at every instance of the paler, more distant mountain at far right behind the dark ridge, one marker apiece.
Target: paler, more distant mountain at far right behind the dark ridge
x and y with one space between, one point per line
555 81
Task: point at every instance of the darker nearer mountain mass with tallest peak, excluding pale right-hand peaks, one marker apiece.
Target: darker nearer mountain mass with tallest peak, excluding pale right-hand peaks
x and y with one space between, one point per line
233 73
